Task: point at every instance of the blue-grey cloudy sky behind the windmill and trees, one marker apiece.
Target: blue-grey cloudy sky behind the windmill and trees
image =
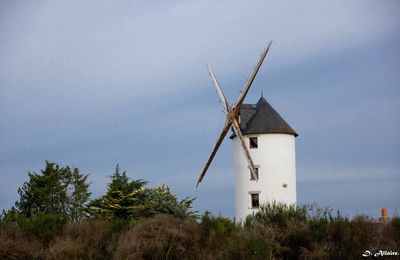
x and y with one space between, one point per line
96 83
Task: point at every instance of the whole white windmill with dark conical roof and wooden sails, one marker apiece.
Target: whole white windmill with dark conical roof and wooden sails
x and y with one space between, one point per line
263 151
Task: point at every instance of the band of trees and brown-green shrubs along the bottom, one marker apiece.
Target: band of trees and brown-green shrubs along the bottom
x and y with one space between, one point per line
131 221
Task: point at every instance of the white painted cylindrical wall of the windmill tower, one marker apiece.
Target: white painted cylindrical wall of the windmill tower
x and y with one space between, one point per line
277 160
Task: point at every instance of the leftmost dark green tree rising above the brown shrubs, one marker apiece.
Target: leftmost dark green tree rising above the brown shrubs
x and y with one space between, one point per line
55 190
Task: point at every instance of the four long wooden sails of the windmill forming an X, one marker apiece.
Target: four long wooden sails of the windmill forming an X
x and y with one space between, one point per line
232 115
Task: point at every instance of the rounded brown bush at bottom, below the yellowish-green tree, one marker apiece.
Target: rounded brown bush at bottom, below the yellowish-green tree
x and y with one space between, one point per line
161 237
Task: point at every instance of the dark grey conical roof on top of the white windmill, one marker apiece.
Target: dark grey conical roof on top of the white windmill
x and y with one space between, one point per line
262 118
